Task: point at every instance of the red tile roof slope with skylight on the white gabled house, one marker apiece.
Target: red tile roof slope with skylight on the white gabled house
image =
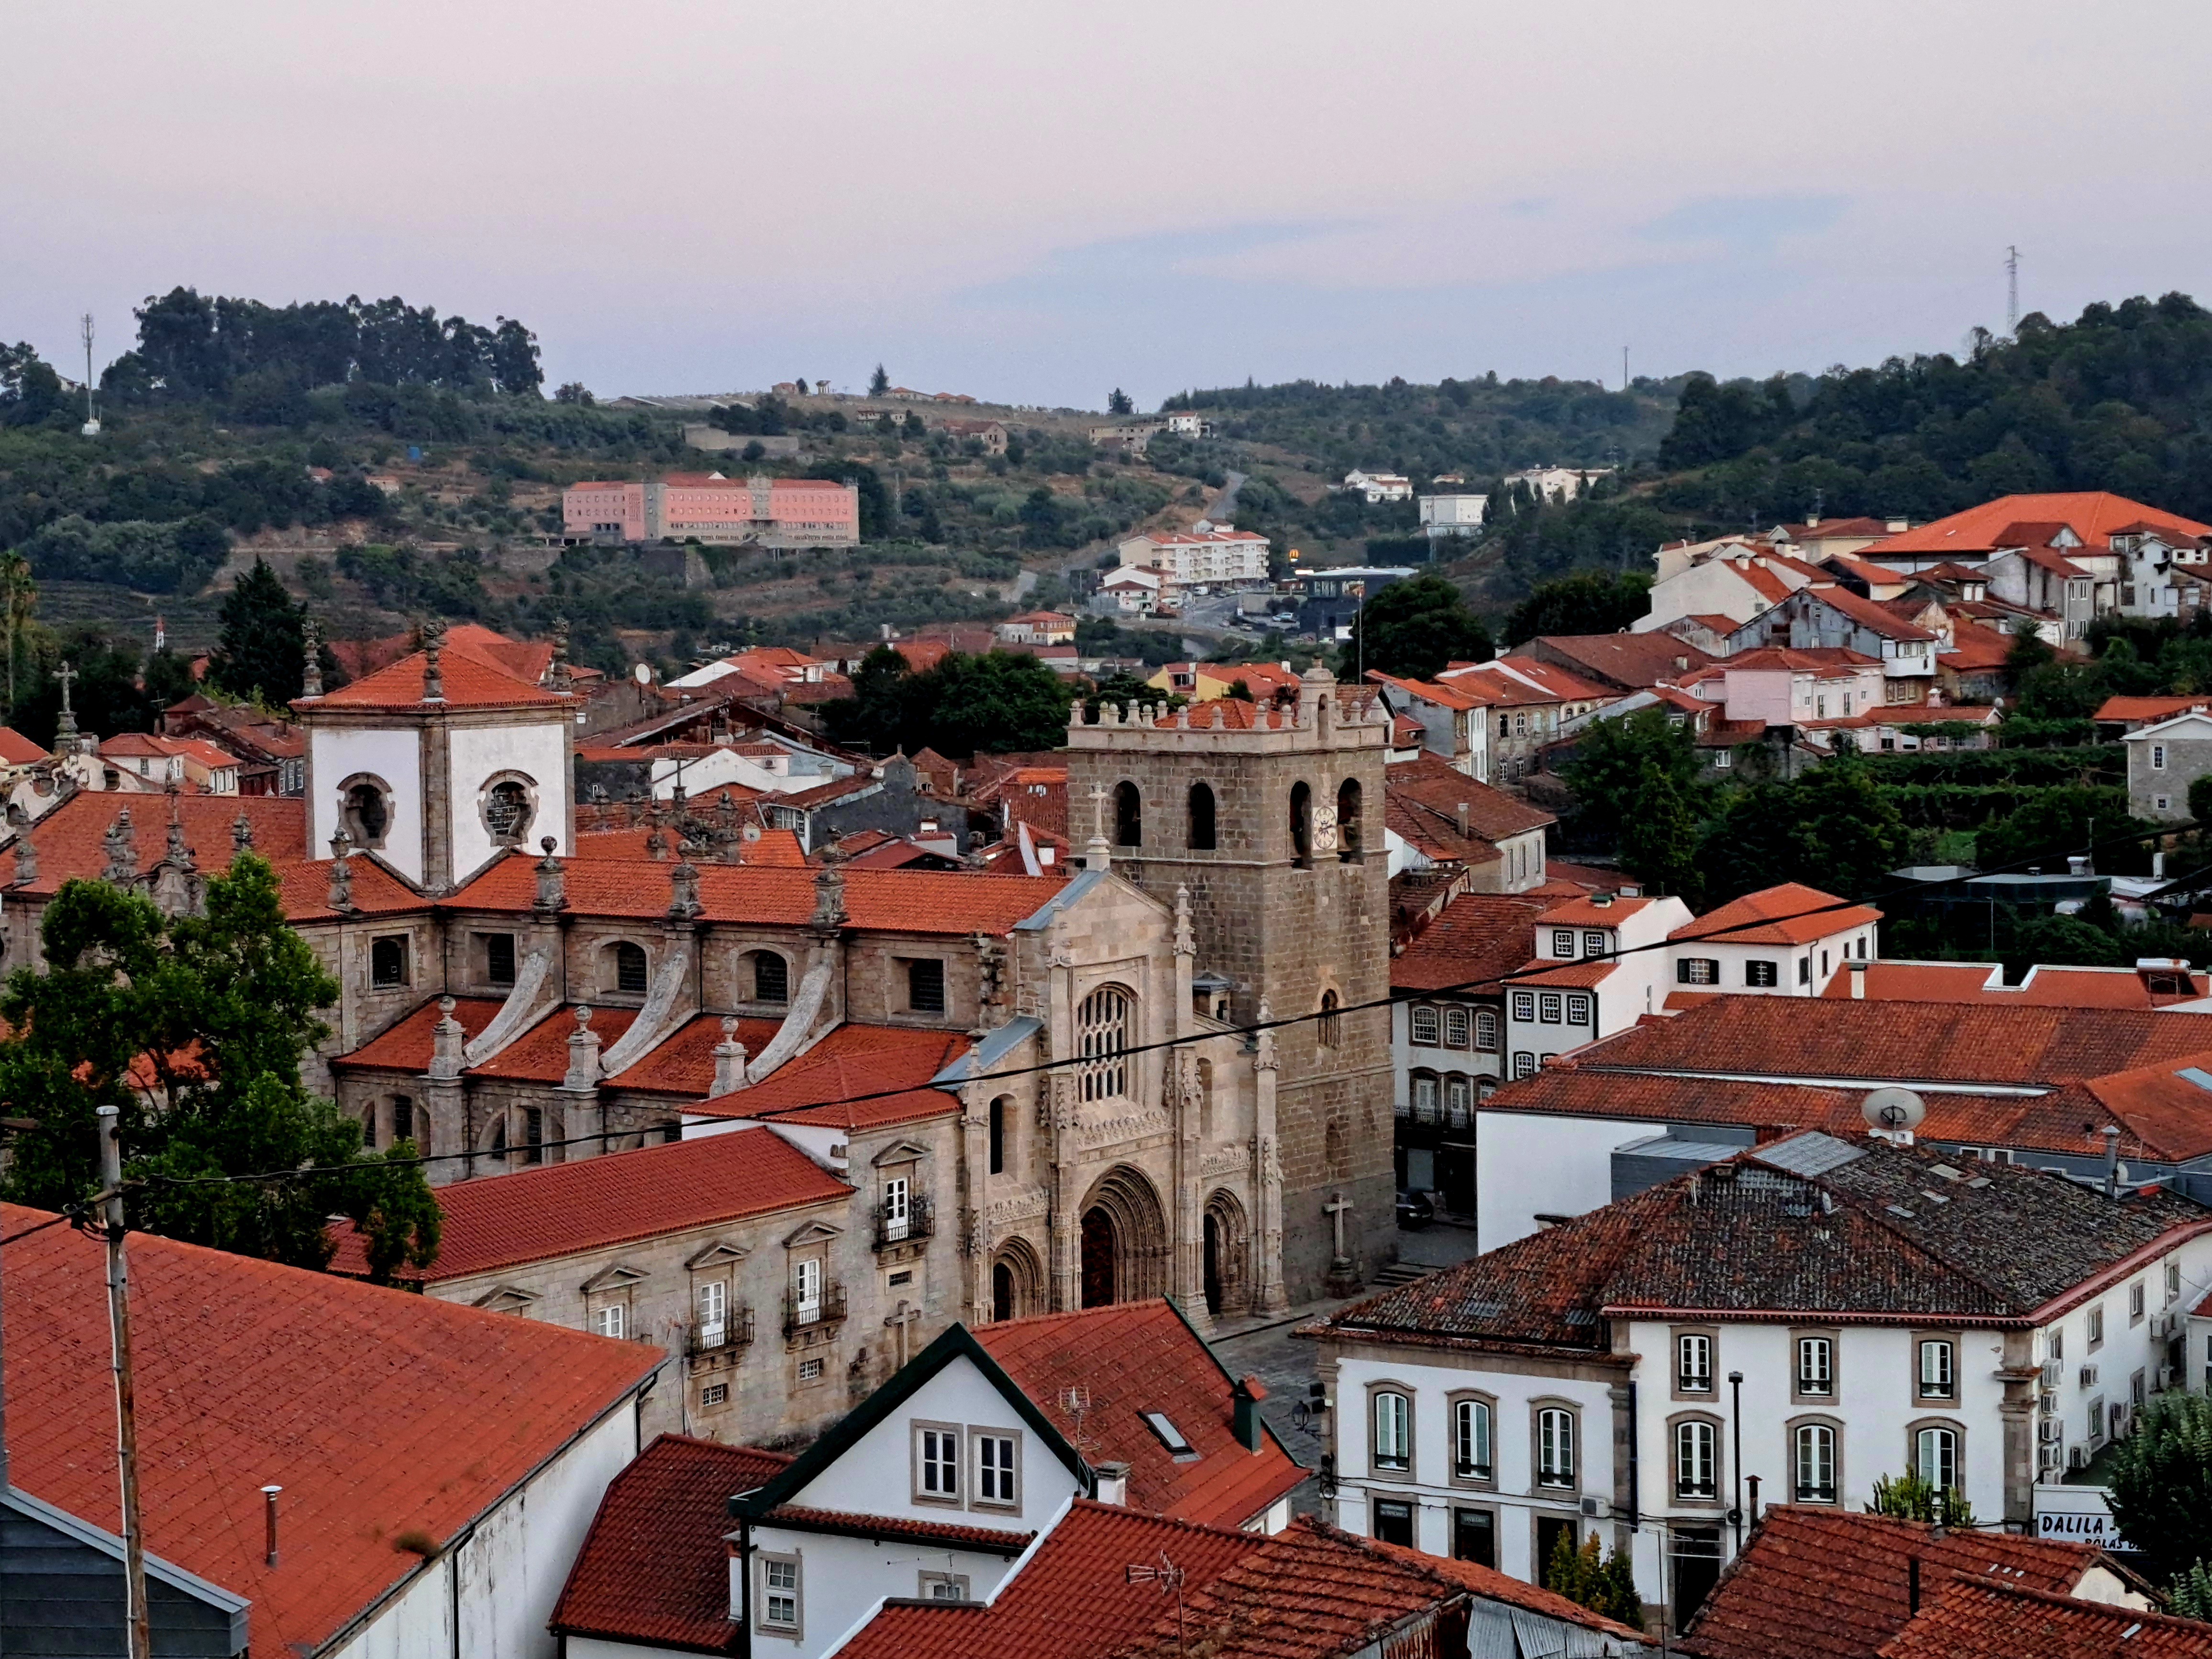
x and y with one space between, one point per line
1142 1357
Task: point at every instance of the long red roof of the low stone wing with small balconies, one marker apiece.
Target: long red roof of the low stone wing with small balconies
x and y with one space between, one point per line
616 1200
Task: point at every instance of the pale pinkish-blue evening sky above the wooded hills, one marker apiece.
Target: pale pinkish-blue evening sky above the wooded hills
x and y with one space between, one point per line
1043 202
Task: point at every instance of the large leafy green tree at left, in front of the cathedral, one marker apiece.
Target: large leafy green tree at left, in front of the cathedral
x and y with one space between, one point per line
194 1027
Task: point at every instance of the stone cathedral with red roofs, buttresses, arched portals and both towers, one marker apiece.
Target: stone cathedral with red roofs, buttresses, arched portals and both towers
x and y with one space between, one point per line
1165 1074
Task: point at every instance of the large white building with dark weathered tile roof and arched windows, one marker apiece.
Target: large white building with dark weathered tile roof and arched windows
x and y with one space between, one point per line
1830 1311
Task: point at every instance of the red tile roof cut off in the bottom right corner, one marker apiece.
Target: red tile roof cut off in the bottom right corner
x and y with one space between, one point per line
1981 1620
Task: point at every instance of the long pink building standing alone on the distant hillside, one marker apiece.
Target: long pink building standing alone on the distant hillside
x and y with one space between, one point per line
716 510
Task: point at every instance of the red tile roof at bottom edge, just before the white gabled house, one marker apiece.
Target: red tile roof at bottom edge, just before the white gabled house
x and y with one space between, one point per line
1070 1600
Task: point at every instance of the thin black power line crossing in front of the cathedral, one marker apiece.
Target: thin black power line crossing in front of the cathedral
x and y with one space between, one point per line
1253 1030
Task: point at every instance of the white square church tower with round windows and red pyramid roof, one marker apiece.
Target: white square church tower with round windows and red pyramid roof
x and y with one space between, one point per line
439 762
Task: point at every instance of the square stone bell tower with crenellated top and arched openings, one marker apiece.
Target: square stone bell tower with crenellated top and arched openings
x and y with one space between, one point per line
1273 822
